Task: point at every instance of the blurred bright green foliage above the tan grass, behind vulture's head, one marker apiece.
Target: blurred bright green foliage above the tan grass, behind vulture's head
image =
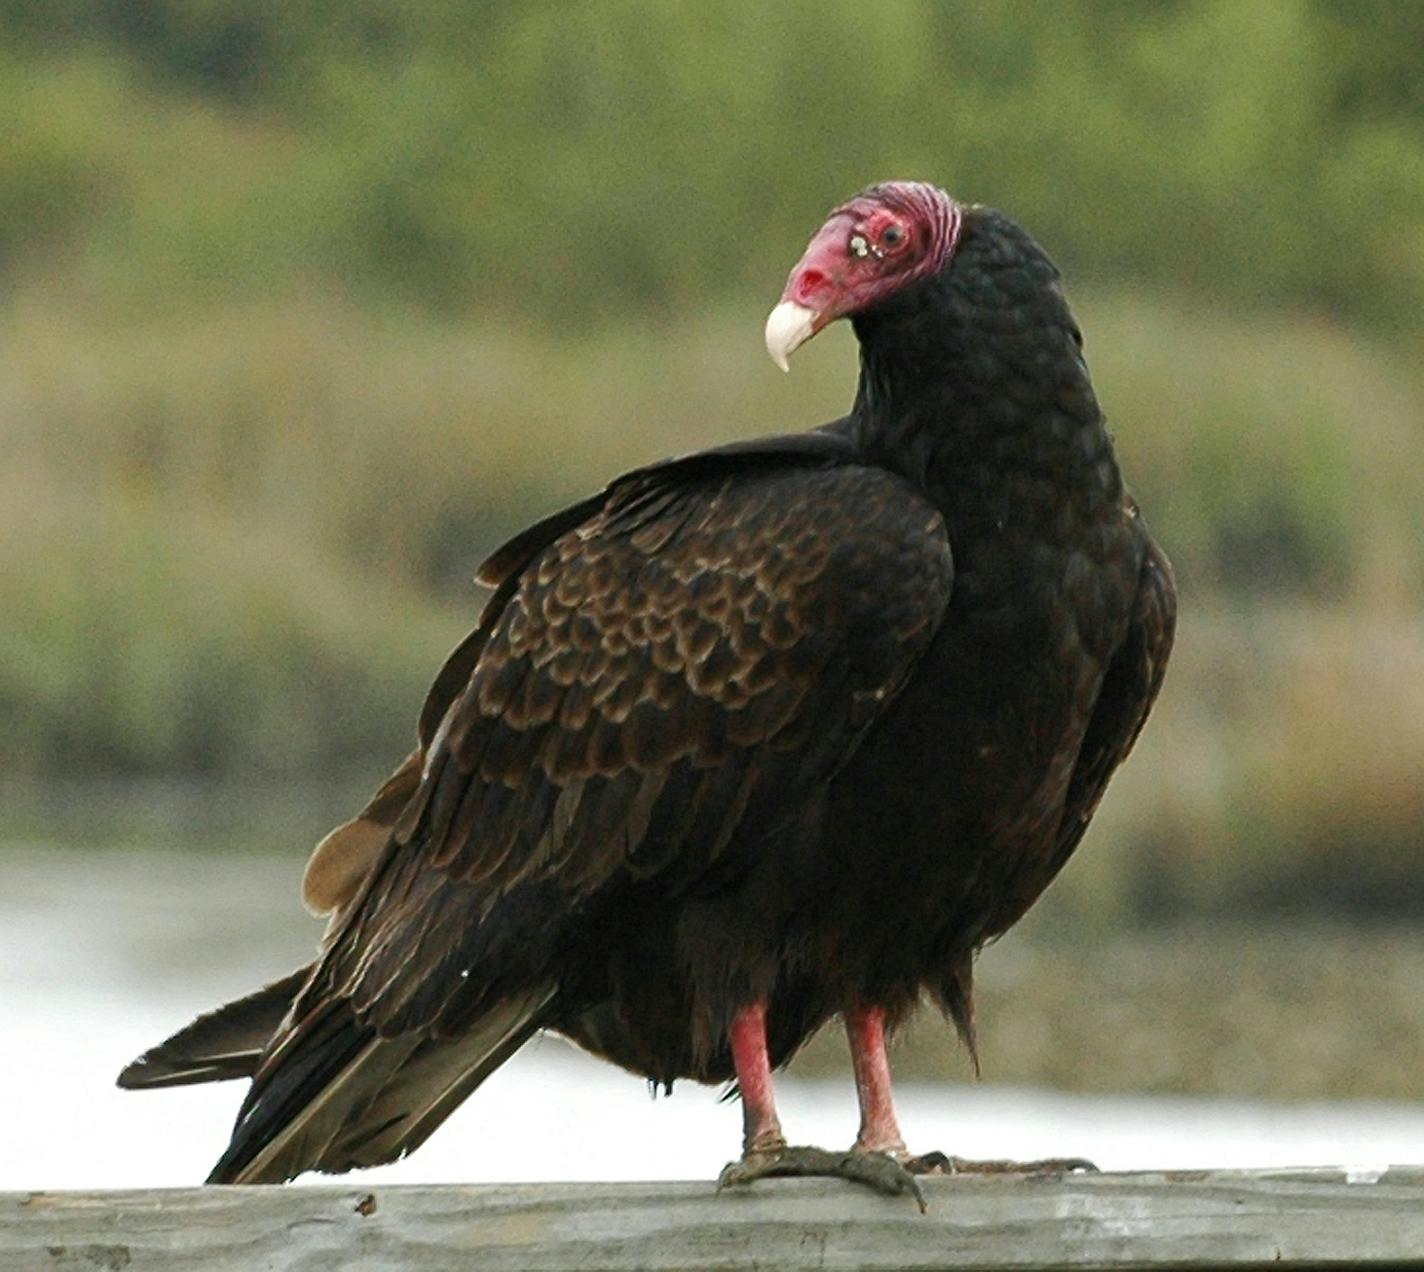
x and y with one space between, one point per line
572 162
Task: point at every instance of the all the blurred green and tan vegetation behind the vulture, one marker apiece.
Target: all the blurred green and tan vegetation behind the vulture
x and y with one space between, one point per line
305 307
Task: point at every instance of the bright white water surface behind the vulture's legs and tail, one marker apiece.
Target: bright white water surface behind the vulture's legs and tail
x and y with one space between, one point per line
105 955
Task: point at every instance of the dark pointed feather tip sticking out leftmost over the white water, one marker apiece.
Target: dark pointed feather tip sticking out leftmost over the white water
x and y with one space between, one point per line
220 1045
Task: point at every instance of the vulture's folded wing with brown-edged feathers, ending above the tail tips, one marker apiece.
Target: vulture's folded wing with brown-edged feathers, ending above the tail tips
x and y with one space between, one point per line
690 660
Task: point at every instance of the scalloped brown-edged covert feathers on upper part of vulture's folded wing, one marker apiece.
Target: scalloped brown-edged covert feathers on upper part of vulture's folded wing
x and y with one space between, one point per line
696 625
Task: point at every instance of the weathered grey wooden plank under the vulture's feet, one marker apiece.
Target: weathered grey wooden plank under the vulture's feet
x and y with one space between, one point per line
1321 1219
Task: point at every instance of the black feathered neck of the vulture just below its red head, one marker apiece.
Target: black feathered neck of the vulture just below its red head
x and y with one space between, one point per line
976 391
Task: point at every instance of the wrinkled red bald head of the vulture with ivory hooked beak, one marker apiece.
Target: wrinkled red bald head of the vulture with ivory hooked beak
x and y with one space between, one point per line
872 246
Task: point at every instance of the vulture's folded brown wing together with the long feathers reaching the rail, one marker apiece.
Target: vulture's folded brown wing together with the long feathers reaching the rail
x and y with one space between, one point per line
650 700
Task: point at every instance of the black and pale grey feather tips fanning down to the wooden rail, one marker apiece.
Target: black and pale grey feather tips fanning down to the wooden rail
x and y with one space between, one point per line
337 1095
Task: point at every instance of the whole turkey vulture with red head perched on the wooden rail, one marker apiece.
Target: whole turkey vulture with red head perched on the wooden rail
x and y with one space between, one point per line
750 740
